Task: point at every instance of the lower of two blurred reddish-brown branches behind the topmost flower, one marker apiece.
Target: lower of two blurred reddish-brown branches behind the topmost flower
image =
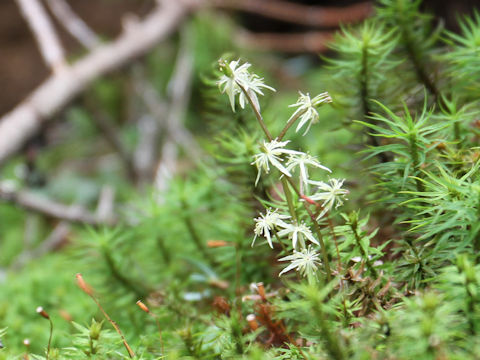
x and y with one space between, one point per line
314 42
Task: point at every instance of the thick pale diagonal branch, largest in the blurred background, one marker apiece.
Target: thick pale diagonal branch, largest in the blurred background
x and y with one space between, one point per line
26 119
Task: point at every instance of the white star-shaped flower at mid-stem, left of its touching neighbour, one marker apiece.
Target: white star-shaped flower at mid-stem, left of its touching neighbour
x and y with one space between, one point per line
271 154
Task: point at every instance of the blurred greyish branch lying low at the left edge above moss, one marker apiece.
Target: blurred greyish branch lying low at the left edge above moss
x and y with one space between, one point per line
33 202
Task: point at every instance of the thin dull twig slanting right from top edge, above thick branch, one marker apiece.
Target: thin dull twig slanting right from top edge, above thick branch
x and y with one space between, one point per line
73 23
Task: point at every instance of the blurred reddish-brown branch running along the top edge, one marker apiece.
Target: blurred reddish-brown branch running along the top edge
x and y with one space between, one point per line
316 16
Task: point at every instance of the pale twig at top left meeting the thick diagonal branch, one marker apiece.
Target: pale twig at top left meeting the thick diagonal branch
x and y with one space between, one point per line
41 26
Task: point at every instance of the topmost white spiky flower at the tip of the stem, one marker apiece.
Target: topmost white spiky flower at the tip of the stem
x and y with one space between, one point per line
236 75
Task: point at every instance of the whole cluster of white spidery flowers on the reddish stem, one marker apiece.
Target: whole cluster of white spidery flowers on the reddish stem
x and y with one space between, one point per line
237 80
